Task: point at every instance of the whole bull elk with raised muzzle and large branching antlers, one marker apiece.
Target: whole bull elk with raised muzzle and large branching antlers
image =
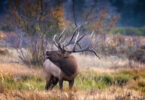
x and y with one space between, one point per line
60 65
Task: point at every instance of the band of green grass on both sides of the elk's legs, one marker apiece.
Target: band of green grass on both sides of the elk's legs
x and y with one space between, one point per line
85 80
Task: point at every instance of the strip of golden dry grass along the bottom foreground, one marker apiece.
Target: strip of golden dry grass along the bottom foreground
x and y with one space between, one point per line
113 93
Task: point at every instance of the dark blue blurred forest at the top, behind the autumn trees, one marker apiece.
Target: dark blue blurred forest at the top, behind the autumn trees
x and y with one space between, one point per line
131 12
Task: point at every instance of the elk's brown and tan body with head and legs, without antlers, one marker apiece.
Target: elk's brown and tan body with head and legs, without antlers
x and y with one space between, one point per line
59 68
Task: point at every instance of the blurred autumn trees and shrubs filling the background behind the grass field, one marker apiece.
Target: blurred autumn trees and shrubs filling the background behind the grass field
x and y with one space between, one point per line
119 25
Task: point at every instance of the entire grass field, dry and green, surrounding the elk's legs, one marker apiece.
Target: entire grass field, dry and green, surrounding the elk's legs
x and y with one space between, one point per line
109 78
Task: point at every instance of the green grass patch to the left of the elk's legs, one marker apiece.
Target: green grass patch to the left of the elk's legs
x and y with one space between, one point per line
23 82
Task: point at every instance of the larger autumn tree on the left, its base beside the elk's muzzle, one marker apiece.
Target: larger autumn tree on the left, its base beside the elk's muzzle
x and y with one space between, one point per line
35 20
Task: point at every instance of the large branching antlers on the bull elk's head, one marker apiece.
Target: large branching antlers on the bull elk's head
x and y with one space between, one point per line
77 39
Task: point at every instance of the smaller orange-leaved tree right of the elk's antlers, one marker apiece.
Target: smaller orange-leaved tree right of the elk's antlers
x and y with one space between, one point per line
102 23
